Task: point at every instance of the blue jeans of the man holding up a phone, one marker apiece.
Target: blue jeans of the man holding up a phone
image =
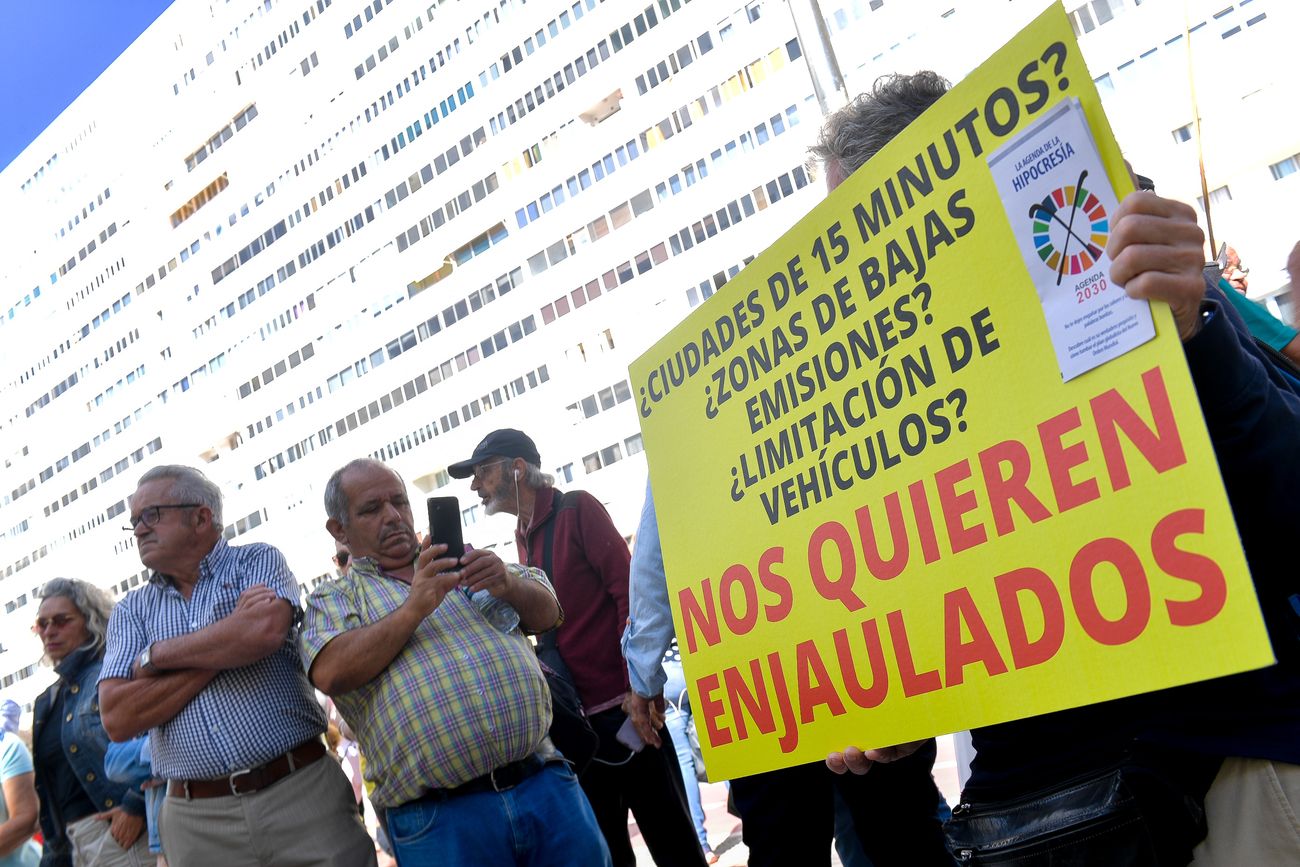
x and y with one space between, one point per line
544 822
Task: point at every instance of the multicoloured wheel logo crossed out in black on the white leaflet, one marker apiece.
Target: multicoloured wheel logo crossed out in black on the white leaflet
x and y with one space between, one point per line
1071 229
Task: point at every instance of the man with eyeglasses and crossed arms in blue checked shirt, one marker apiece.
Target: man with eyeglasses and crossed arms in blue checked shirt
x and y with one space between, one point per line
203 657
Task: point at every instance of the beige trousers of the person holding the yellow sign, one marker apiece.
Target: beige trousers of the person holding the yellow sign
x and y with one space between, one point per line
1253 813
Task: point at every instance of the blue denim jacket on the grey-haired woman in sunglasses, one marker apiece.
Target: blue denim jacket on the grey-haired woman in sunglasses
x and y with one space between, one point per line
85 744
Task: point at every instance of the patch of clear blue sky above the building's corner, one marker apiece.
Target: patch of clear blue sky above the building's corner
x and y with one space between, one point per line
51 51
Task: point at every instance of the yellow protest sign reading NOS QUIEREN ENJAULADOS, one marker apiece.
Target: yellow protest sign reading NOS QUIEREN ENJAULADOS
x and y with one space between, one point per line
920 469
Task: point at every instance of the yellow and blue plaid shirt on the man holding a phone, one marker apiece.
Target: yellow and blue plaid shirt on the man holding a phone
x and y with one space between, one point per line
466 695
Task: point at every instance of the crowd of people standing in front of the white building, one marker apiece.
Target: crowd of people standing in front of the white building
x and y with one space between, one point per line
187 723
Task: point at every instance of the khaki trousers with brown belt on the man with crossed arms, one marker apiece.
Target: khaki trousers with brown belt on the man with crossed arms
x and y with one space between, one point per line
309 820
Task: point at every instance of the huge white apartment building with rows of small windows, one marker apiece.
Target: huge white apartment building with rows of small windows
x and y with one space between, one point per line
280 235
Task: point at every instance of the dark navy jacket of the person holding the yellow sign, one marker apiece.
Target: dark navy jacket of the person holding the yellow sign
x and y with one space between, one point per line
1254 418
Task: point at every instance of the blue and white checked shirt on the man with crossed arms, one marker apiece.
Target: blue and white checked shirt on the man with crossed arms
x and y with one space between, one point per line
245 717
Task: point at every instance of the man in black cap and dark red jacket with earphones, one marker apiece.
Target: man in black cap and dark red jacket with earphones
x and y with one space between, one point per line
574 540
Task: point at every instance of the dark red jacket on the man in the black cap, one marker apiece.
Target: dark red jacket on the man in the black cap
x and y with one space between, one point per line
590 571
